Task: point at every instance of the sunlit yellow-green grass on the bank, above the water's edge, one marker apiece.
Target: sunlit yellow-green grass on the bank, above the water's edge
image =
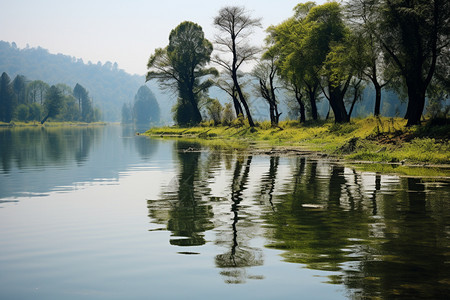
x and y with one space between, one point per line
369 139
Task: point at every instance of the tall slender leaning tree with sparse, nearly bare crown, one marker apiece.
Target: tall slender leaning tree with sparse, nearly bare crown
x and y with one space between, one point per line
235 26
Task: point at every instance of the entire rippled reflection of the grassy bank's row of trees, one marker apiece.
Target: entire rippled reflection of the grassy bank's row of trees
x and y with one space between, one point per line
381 235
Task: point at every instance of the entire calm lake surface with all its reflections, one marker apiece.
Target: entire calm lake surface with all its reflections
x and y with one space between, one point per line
100 213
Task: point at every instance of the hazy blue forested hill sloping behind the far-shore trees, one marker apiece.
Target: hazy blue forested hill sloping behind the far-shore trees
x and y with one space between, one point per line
109 86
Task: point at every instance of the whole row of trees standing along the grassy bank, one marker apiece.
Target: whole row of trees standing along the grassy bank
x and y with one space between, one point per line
338 60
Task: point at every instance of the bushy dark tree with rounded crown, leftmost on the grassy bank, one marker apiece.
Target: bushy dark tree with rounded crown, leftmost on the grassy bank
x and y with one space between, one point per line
181 67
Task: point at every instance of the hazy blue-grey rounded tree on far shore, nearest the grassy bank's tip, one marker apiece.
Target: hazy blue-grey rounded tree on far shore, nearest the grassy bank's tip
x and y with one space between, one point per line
145 108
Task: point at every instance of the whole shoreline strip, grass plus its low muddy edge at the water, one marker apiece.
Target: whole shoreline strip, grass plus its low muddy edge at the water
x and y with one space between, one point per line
378 144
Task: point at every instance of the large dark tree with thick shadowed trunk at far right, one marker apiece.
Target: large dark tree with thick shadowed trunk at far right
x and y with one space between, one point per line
415 36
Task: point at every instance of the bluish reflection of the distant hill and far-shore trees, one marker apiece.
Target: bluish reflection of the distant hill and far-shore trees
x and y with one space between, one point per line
37 160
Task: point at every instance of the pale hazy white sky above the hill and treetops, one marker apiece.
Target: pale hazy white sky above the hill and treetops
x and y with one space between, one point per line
124 31
